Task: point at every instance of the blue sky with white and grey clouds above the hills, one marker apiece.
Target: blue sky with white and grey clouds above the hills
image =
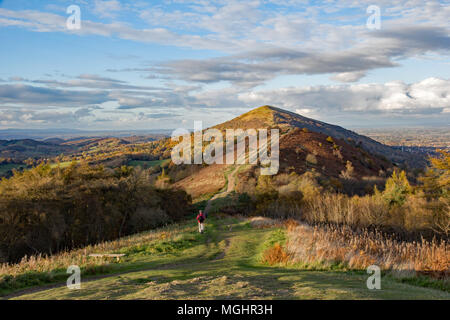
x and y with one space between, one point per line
165 64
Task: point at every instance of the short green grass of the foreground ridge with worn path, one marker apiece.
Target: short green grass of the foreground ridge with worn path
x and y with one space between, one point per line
222 263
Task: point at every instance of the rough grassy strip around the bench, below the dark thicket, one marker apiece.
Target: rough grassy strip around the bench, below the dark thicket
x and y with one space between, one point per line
42 270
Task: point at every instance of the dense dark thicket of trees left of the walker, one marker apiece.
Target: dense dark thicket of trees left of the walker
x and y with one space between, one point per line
45 210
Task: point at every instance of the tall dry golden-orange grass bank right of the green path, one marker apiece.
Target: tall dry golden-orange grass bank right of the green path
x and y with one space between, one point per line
340 244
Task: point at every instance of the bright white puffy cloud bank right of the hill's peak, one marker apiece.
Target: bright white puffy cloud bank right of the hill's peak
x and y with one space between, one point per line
430 96
